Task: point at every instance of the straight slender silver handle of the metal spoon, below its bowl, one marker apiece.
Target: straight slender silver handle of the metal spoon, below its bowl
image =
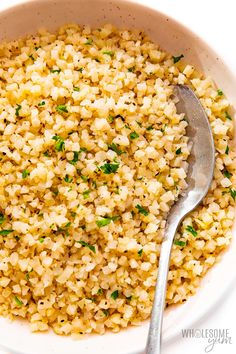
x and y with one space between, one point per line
154 336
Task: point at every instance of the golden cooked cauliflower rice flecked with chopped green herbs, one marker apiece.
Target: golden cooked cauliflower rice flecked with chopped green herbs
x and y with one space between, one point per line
93 154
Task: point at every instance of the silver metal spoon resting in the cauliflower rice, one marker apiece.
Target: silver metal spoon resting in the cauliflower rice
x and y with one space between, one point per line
199 177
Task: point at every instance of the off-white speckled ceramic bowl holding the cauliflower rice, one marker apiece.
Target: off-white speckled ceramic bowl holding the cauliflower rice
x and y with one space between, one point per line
26 18
